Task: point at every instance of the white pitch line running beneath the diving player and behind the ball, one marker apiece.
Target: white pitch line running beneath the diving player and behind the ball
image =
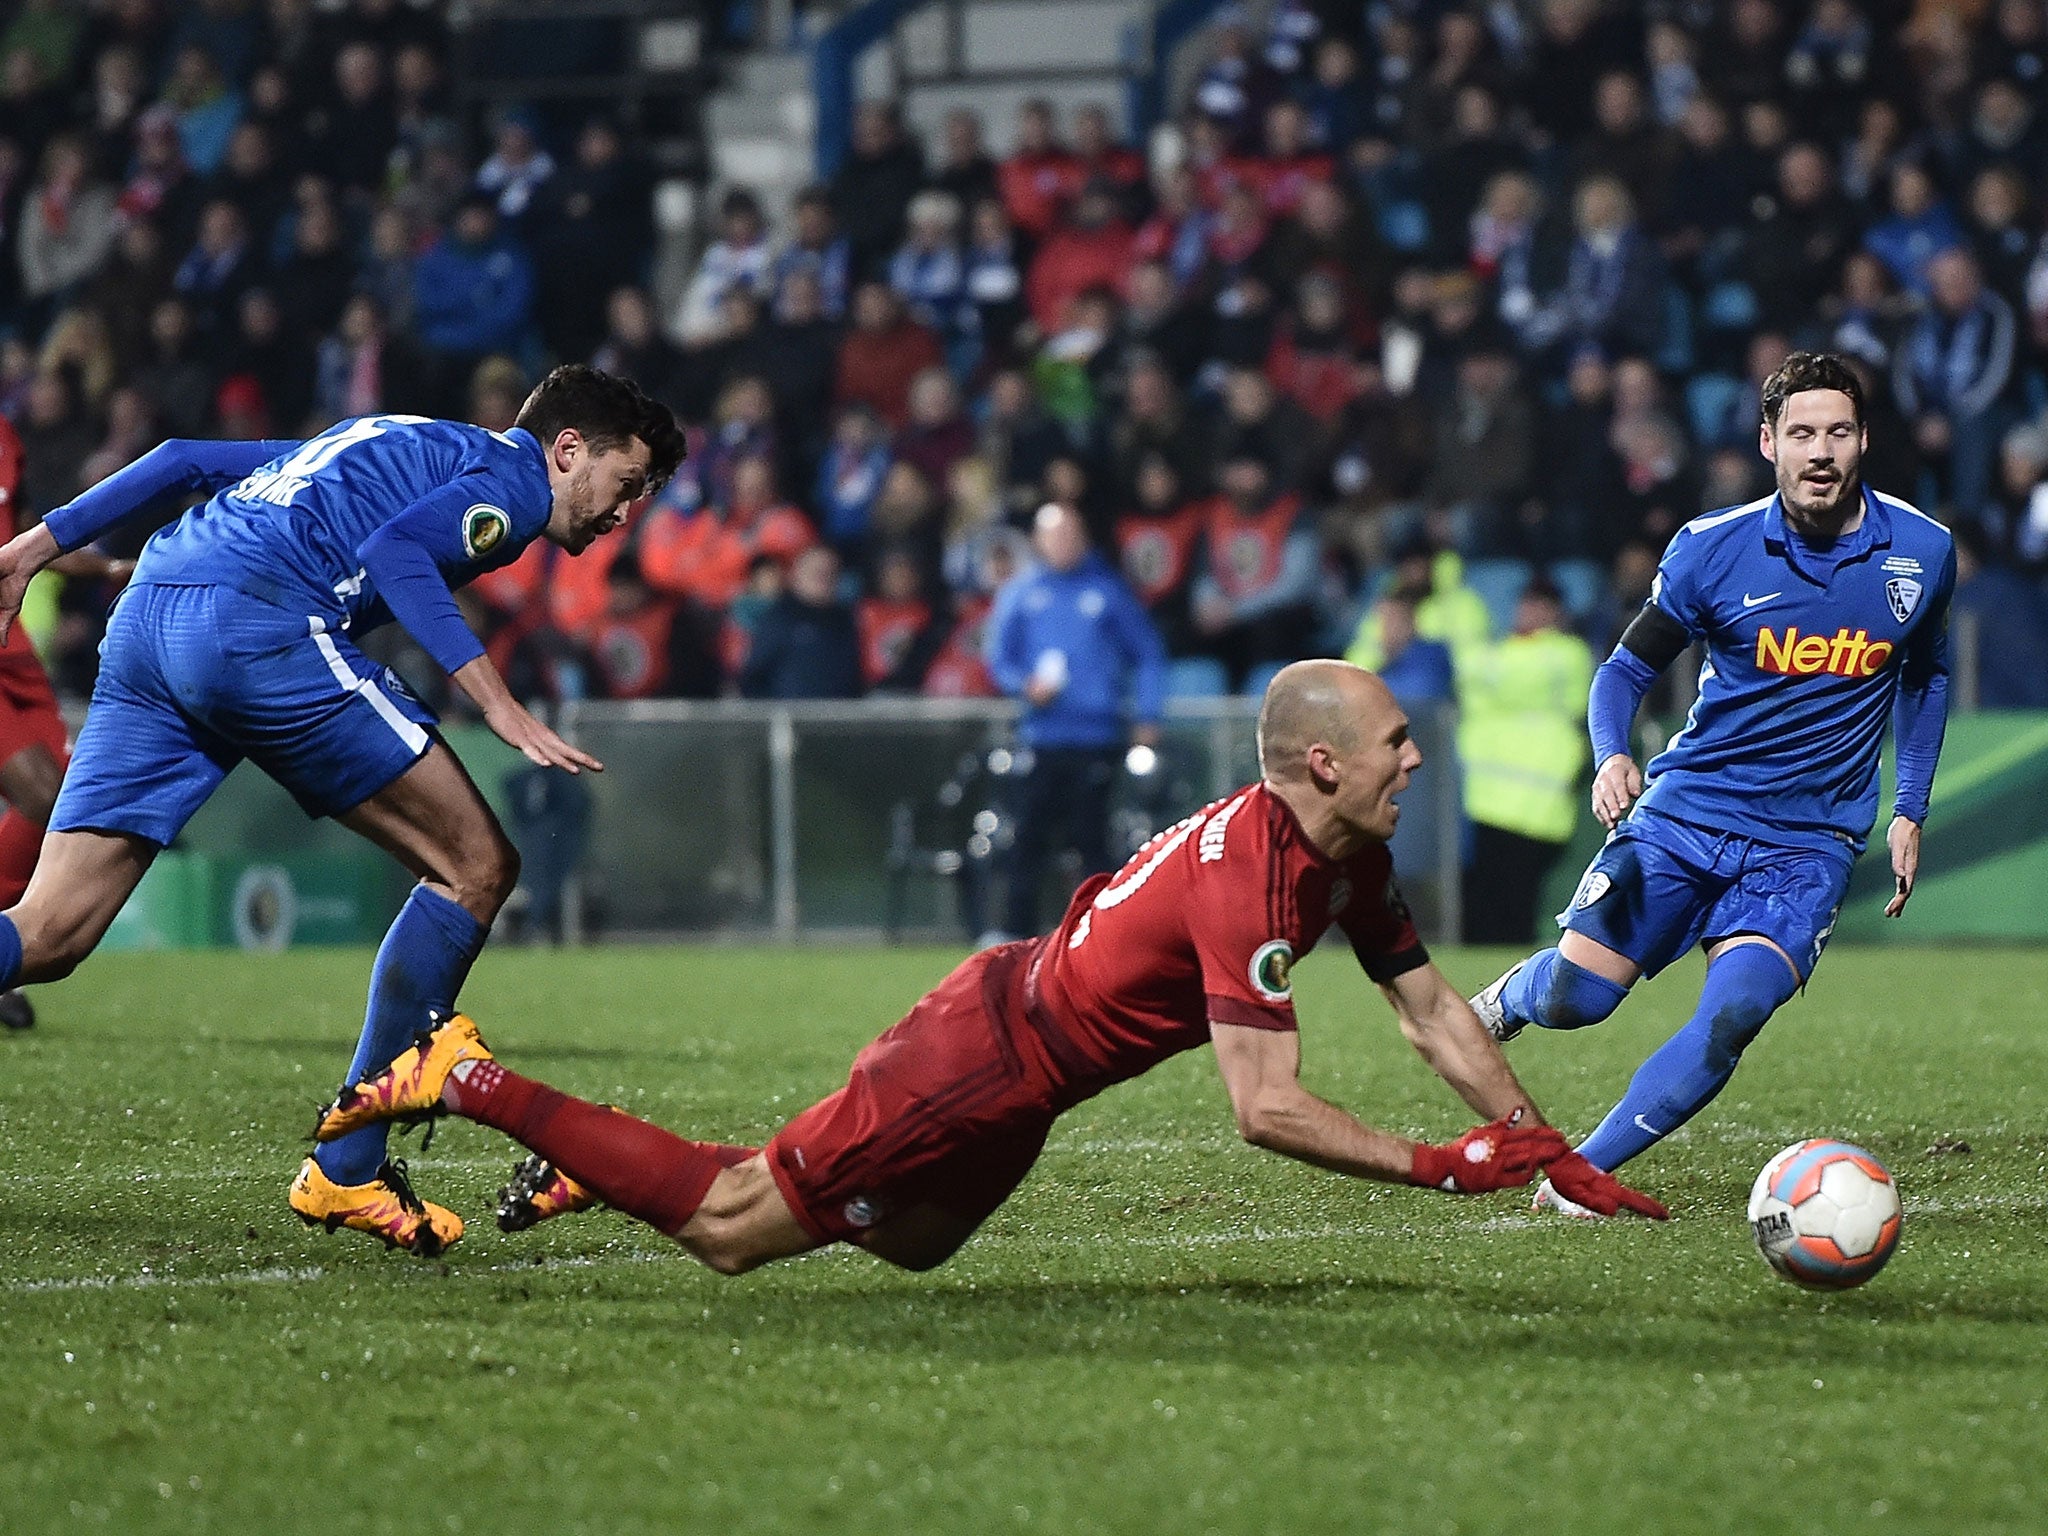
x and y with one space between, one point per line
1187 1242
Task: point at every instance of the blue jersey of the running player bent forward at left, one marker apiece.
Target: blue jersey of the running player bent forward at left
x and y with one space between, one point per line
292 534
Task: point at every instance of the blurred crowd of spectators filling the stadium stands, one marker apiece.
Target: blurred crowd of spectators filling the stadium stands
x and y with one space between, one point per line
1431 302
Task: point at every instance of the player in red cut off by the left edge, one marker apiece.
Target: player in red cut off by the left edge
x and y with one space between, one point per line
32 728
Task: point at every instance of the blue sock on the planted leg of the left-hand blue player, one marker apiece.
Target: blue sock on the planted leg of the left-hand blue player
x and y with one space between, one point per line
421 966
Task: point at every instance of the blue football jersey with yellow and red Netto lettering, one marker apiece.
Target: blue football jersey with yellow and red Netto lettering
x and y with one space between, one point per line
1805 658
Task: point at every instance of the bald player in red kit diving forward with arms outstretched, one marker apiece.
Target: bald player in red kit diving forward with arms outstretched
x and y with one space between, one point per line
943 1117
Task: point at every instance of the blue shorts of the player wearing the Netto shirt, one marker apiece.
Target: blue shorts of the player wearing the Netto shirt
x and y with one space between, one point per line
1658 888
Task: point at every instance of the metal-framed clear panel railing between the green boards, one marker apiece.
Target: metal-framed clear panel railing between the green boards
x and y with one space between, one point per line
890 818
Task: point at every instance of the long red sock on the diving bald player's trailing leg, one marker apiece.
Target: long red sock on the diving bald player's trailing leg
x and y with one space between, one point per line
634 1166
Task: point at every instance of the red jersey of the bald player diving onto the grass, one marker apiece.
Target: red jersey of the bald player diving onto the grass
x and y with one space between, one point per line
1205 923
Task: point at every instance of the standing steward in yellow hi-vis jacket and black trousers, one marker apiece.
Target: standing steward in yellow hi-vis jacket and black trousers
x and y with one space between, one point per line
1523 744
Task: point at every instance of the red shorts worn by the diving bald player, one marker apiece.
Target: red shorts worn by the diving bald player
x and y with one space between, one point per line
949 1109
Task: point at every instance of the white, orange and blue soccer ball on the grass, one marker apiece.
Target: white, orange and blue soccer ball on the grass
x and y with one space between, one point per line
1826 1215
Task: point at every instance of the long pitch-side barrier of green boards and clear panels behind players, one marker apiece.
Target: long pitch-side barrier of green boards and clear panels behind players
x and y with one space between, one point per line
886 820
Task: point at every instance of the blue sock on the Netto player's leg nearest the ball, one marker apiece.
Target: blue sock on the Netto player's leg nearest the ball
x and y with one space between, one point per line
1744 988
